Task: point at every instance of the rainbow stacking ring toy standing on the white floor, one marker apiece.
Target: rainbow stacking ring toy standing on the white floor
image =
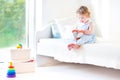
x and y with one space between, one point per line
11 71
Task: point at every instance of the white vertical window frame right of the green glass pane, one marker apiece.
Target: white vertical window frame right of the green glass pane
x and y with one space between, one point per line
30 25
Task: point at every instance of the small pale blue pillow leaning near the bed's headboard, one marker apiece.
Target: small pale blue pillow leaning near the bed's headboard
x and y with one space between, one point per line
55 30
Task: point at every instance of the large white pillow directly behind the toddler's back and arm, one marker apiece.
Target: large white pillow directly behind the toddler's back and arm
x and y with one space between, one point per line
65 27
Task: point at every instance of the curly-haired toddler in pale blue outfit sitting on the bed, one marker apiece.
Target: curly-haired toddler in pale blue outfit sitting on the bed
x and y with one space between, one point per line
84 31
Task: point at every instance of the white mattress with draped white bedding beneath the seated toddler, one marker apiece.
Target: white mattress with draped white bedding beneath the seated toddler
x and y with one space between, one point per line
101 53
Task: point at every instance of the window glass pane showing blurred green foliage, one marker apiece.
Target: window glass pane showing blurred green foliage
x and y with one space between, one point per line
12 23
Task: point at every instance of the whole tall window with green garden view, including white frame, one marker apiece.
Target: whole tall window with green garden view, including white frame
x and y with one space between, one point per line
16 25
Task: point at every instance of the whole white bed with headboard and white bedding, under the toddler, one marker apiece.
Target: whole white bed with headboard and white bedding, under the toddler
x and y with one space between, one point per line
105 52
